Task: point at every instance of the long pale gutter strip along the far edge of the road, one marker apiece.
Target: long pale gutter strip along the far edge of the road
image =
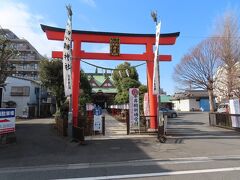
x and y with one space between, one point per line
131 163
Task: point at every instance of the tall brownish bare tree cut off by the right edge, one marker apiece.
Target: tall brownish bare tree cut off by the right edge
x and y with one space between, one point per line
228 81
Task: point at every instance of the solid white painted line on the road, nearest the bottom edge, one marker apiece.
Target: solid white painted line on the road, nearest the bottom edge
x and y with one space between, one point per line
158 174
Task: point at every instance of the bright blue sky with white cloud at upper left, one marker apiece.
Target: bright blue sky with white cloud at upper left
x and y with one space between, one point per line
193 19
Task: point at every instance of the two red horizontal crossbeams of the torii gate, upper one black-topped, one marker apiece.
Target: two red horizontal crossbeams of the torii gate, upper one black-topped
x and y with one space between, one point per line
79 36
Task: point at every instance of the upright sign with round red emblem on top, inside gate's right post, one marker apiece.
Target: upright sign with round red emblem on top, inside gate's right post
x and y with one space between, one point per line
134 118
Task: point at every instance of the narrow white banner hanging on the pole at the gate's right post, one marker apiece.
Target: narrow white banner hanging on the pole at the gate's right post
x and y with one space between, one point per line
156 80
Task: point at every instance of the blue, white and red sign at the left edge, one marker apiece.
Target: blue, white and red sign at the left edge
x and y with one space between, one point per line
7 120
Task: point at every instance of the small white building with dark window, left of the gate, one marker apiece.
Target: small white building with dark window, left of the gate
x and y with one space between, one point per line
24 94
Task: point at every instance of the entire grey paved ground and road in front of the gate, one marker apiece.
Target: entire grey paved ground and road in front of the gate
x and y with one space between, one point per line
193 151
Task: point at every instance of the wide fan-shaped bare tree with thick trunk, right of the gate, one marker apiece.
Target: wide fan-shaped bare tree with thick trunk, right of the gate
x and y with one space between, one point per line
199 66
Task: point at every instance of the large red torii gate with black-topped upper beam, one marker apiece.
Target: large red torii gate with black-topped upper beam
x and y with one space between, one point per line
78 37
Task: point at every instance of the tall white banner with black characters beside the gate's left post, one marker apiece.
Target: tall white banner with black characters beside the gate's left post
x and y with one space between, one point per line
67 55
